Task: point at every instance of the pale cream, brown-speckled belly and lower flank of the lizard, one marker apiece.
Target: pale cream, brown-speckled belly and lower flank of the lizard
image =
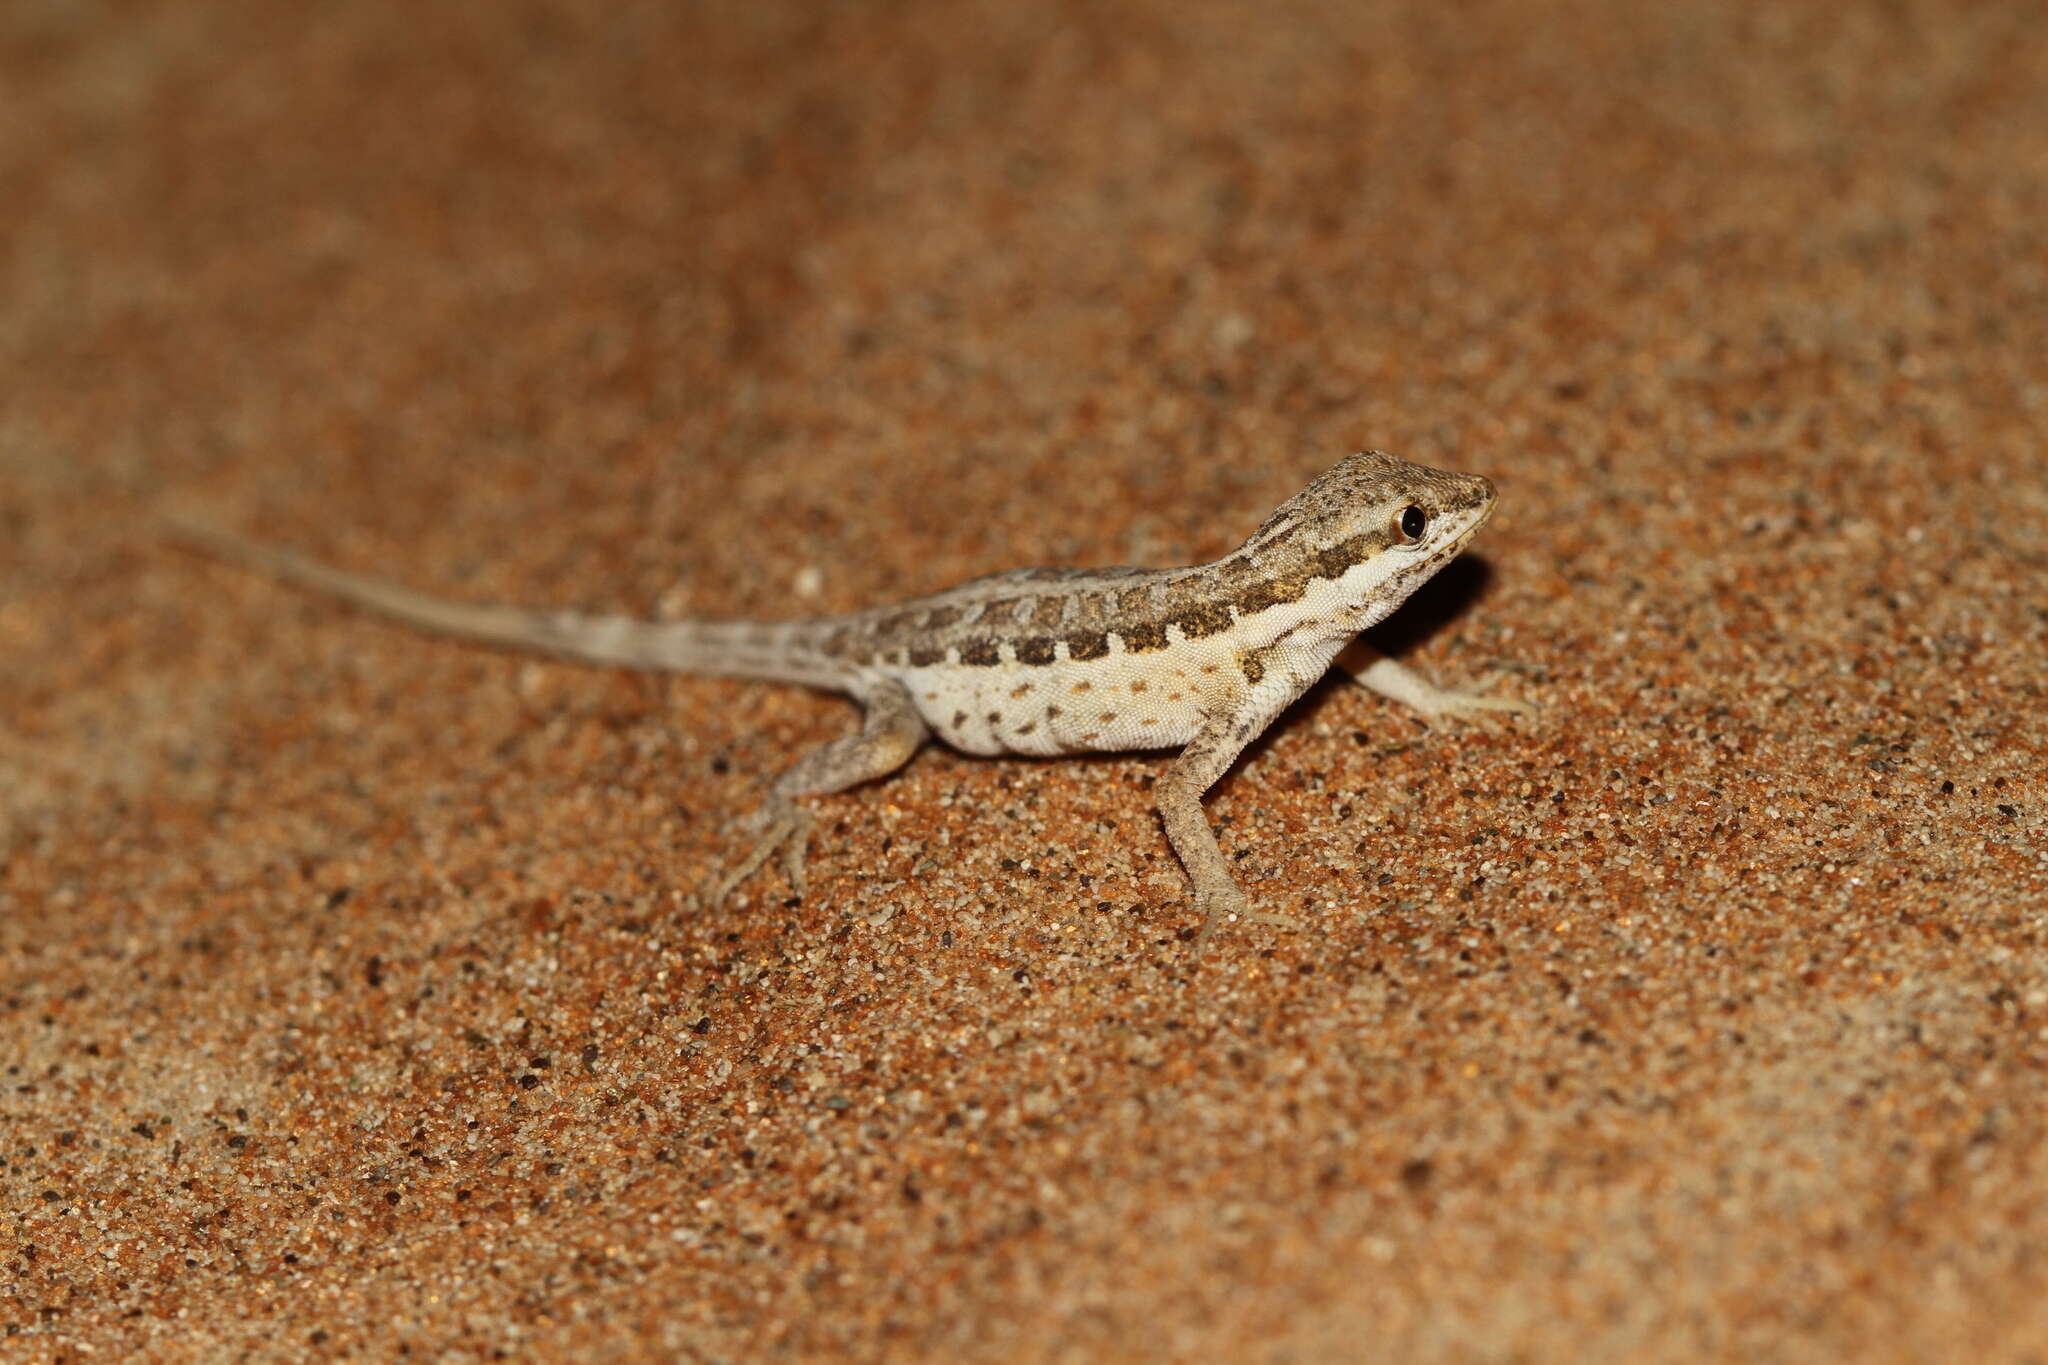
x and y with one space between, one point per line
1103 705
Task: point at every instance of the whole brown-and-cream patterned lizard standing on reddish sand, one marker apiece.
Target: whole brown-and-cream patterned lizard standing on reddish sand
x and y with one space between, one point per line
1046 662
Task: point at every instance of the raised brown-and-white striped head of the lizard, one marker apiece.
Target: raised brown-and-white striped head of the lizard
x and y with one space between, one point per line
1369 533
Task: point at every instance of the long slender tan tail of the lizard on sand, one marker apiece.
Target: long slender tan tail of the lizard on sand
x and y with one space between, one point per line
779 652
